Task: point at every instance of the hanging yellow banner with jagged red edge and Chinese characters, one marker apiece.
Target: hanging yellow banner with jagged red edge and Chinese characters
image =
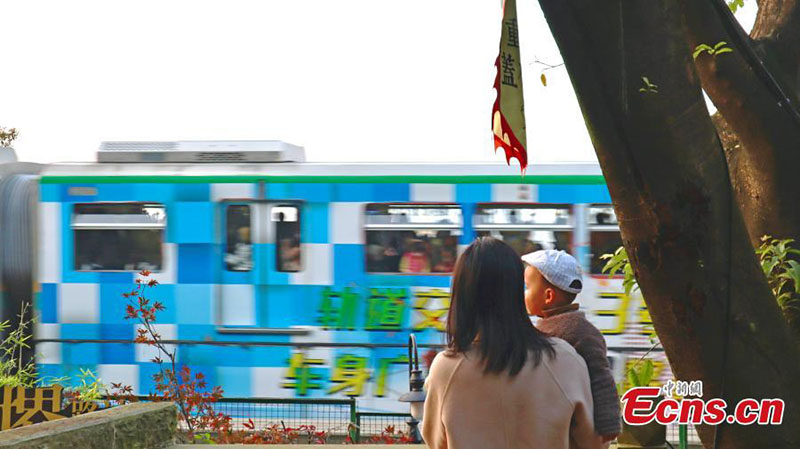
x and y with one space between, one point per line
508 111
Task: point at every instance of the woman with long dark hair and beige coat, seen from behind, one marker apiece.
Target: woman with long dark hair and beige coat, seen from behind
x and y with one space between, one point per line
501 383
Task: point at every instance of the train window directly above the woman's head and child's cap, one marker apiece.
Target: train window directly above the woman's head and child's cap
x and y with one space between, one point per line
526 228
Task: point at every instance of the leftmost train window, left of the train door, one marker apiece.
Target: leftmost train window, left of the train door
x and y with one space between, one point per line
118 237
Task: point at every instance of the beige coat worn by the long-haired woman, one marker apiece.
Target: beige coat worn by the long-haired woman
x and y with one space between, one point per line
548 406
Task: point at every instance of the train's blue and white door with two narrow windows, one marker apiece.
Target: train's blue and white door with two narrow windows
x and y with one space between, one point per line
260 245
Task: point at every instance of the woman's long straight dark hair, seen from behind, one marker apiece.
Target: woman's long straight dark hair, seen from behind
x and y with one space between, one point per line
488 304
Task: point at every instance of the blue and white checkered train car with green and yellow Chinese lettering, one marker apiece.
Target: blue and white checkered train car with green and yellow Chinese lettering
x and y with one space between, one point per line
284 278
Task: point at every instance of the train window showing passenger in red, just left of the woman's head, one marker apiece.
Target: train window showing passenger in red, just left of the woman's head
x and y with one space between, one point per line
412 238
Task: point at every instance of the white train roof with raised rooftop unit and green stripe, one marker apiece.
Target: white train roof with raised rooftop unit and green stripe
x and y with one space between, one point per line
276 161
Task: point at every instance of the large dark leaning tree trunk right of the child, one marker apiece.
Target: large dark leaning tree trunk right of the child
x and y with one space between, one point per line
686 237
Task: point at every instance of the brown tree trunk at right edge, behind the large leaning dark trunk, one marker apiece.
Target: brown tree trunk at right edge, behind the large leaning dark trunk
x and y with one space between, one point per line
763 168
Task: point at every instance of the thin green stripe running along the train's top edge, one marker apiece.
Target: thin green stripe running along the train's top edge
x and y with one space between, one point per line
444 179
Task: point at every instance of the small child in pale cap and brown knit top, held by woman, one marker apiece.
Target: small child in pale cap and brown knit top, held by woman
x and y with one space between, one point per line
552 280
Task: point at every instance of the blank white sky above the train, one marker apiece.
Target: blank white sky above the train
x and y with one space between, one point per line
351 80
